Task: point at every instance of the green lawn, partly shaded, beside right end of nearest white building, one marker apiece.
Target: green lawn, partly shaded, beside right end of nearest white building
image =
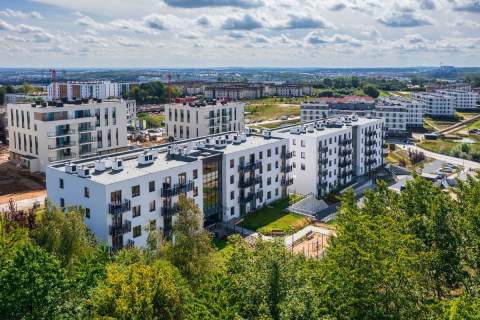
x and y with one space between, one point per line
276 218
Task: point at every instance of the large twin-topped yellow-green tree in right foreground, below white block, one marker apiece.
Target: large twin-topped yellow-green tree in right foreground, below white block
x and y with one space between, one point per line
373 269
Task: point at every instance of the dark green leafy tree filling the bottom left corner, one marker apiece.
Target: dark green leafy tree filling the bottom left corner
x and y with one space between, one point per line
32 285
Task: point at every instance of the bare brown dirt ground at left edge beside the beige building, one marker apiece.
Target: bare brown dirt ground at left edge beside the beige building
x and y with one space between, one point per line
16 183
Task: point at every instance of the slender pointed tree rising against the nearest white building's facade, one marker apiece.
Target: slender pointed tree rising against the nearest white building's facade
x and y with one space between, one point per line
192 249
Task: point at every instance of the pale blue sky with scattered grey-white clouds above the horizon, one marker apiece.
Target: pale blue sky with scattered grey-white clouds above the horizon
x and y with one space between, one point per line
239 33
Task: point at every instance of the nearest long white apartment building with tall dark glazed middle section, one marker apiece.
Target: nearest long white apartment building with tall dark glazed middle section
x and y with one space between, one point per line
128 193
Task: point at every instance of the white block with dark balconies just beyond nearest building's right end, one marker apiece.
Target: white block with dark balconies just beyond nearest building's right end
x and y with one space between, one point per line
328 154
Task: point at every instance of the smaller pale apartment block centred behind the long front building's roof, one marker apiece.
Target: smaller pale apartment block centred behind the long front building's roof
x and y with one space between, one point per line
198 119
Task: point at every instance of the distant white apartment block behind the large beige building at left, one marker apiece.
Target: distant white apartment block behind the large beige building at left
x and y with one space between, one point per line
87 89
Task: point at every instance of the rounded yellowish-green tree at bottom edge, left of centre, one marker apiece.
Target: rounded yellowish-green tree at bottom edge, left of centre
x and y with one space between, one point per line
142 291
